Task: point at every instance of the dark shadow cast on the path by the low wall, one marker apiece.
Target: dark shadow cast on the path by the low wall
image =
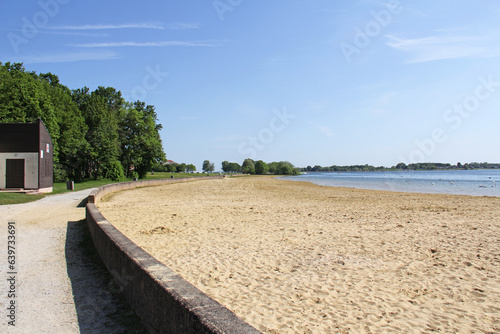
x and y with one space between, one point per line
100 306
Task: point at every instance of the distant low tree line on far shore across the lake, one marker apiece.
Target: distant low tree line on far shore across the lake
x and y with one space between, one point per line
403 166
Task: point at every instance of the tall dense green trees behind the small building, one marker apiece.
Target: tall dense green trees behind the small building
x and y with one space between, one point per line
96 134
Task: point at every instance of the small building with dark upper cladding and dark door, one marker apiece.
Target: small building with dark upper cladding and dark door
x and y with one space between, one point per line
26 157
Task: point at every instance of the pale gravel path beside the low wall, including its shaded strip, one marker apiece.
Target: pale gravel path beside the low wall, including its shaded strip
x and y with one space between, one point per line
60 284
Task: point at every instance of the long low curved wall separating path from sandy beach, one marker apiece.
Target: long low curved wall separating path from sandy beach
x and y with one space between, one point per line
164 301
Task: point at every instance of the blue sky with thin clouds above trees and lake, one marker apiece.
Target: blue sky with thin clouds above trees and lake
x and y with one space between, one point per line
318 82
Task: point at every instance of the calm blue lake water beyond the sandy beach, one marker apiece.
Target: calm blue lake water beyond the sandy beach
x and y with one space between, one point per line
483 182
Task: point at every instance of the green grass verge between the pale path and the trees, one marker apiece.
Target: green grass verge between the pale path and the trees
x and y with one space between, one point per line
59 188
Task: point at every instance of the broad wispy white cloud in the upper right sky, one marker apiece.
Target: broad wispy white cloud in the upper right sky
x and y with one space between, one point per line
444 47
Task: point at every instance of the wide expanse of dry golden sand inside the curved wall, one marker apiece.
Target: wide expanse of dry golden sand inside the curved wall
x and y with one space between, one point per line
293 257
